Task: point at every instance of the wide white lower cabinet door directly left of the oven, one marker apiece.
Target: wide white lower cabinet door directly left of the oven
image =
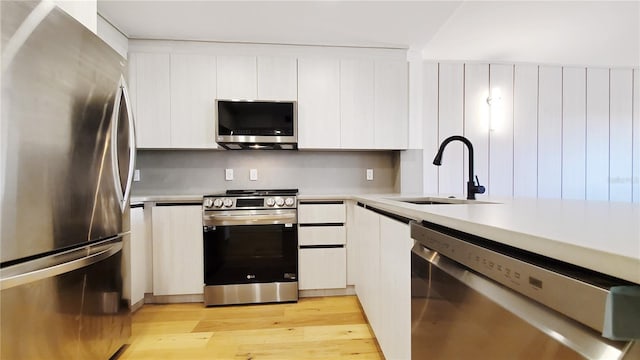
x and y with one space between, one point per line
177 250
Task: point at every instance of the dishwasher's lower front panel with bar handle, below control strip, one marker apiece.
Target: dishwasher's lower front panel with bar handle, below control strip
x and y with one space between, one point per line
459 314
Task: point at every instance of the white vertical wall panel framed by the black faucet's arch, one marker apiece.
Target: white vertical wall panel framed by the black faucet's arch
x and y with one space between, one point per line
450 122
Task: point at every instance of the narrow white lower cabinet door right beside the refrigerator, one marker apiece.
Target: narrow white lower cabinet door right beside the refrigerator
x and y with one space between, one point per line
136 254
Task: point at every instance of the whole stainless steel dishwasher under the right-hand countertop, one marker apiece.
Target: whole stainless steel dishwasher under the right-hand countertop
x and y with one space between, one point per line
472 298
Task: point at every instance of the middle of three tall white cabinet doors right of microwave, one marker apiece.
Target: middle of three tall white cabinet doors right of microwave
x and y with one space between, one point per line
356 104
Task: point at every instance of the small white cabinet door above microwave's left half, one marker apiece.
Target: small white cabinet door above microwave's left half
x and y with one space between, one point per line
237 77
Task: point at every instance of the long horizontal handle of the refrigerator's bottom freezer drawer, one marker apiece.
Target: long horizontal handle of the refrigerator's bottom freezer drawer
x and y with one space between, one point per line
101 252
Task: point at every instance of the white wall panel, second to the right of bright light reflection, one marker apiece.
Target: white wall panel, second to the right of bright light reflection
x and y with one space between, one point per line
550 132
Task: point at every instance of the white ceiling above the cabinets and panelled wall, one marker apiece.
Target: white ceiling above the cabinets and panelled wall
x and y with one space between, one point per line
601 33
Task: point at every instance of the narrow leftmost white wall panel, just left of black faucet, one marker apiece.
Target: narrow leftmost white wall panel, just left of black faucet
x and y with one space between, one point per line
430 126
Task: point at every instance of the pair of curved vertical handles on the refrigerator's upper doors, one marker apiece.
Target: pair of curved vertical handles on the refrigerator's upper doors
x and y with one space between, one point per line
123 191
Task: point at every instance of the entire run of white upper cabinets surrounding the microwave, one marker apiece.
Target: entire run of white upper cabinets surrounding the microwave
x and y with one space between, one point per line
348 99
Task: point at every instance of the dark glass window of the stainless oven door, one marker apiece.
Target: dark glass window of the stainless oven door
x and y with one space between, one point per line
250 254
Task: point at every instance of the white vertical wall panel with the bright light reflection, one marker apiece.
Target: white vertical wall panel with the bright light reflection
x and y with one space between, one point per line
501 135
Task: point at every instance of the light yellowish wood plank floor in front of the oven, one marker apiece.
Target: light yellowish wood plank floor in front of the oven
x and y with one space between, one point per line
313 328
